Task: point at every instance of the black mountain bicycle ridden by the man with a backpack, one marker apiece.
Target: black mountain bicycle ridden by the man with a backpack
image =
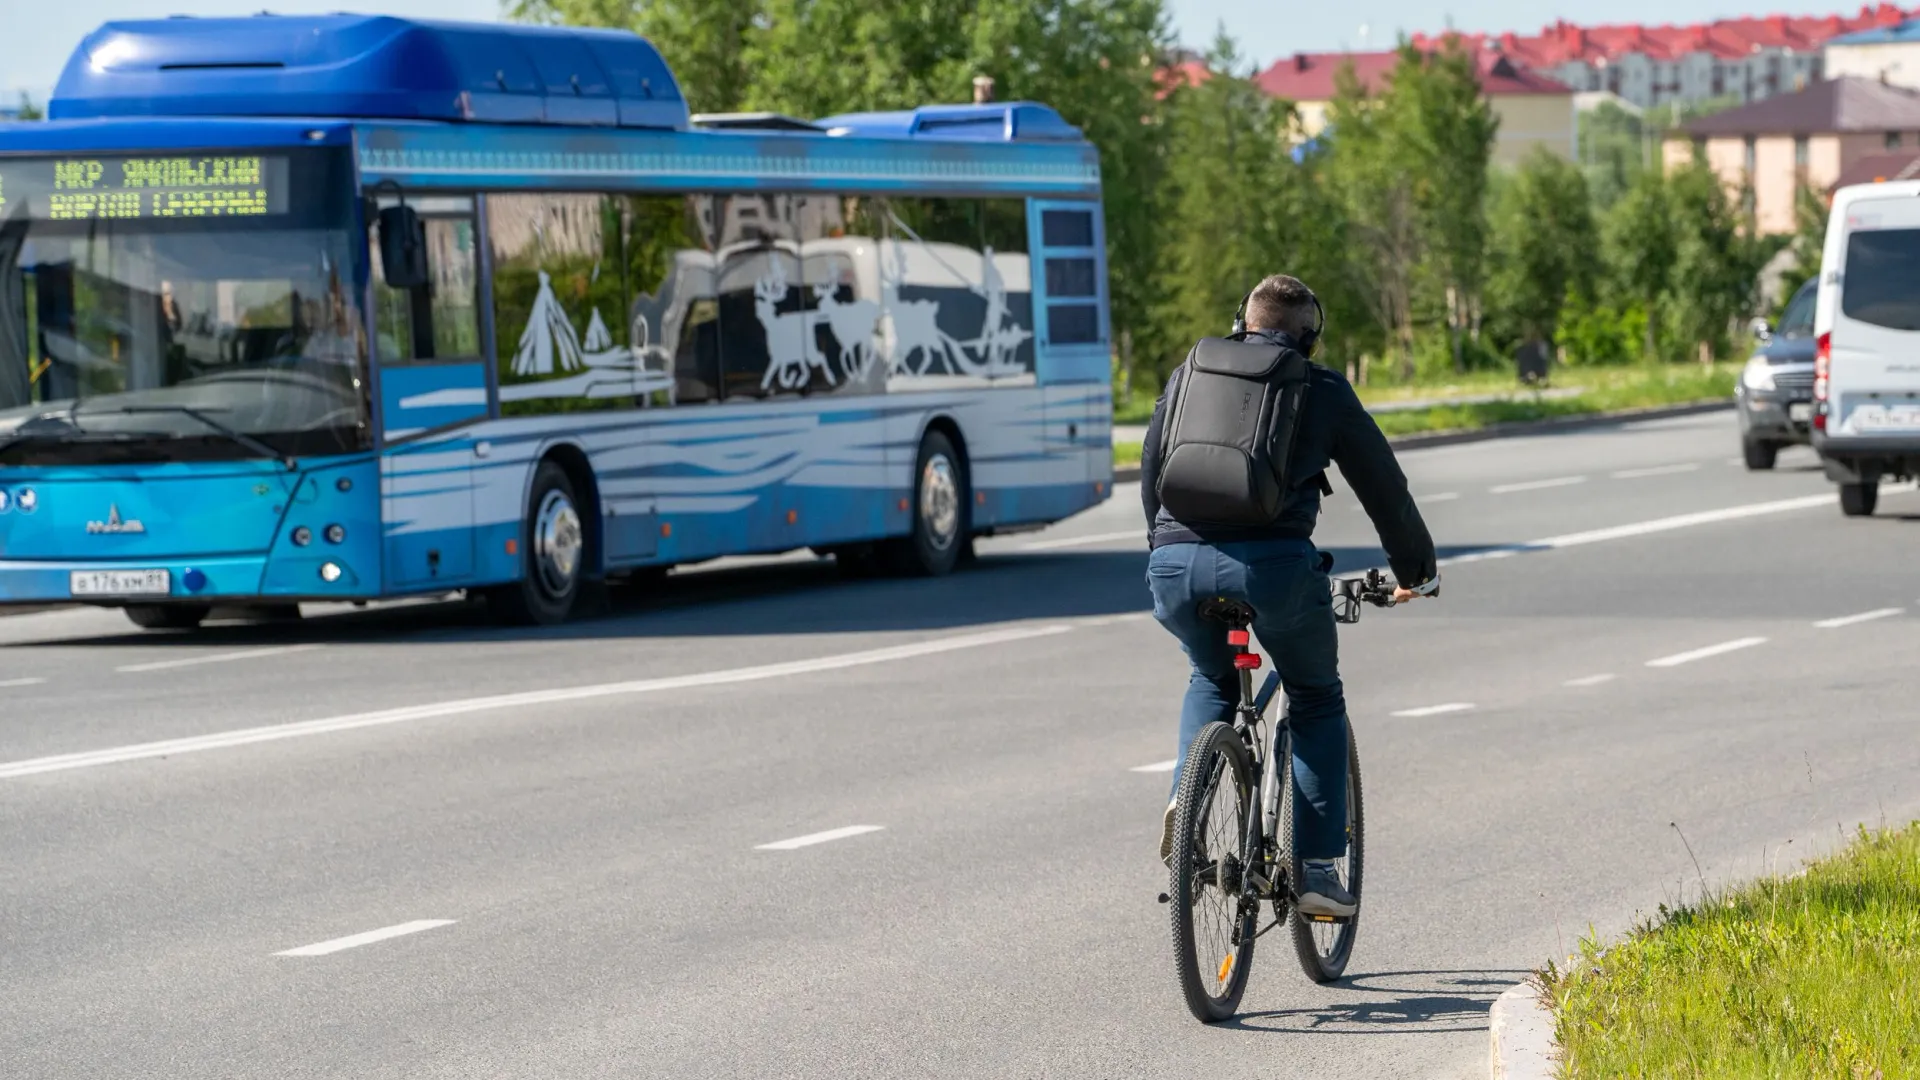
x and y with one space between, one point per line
1211 870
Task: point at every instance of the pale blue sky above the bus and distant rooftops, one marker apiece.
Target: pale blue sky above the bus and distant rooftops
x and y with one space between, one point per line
41 34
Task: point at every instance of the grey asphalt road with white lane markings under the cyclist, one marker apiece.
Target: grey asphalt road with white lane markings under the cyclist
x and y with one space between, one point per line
562 831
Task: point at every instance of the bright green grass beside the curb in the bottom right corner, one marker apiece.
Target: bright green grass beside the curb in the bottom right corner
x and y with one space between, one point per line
1808 977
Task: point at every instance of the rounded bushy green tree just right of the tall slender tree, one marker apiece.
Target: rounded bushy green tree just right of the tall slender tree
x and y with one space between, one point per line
1545 247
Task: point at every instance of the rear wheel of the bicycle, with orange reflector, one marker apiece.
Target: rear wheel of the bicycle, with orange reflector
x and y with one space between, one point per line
1212 927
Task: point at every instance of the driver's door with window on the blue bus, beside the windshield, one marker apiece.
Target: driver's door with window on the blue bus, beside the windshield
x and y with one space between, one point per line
433 389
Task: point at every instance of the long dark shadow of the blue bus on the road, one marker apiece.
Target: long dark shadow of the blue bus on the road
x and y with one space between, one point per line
788 597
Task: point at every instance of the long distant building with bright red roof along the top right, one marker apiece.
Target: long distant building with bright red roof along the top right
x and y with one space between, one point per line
1748 59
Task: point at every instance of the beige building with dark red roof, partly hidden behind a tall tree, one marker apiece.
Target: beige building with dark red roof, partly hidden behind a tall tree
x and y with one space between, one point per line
1533 110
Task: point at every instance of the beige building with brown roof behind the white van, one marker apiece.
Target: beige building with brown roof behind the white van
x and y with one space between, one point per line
1802 139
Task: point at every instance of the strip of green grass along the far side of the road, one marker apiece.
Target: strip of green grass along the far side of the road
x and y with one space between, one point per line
1602 391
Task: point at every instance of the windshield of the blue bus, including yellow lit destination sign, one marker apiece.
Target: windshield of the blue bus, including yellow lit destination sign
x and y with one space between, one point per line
195 318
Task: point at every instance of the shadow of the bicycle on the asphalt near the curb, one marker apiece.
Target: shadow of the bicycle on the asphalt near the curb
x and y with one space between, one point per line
1435 1002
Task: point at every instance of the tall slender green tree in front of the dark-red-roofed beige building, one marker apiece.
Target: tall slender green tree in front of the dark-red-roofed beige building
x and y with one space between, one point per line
1447 134
